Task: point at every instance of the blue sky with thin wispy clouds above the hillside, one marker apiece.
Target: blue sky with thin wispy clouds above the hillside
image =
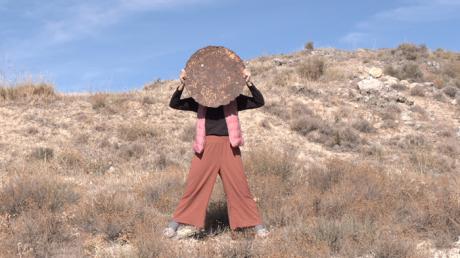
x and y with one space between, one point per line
117 45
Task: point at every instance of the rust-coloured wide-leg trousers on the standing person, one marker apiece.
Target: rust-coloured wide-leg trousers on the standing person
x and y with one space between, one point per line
218 157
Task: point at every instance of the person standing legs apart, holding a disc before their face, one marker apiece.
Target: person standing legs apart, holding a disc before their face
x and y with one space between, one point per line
217 140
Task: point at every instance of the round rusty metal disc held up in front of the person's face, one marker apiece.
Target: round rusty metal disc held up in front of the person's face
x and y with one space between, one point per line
214 76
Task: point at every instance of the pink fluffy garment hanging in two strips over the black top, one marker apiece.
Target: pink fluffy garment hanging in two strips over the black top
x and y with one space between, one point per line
233 125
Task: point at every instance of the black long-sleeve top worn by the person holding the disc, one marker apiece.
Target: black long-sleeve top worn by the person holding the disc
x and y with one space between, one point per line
215 119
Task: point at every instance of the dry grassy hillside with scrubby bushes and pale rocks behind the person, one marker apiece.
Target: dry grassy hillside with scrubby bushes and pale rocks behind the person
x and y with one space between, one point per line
355 154
